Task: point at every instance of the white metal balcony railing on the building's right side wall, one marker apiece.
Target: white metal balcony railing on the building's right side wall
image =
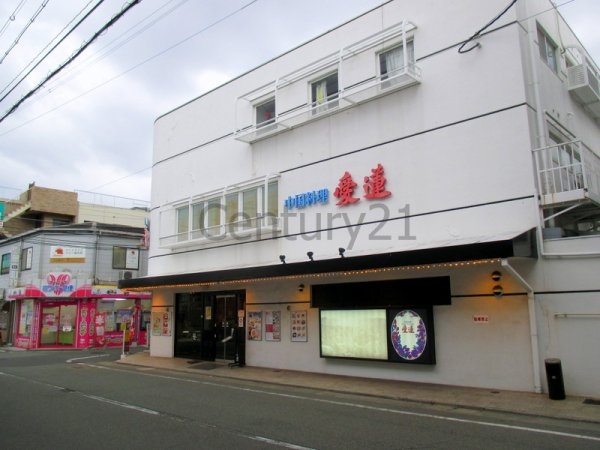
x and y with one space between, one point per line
567 173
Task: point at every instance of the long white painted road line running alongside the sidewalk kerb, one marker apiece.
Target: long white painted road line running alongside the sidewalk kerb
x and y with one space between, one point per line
367 407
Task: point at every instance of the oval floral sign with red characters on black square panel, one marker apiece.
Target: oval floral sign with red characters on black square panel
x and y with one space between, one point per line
411 338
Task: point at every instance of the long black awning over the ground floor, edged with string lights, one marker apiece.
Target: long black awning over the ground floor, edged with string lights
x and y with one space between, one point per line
521 245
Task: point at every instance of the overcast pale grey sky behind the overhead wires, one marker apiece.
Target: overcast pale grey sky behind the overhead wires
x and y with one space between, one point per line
90 128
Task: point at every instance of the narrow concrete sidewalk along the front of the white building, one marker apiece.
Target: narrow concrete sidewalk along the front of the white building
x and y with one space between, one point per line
572 408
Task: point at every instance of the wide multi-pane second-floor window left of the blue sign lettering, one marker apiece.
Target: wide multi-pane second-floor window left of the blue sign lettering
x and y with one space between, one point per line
243 209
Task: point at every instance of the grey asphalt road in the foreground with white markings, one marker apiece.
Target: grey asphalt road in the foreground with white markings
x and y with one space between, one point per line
77 399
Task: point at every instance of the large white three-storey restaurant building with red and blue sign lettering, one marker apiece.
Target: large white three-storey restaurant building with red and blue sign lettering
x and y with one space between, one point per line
344 206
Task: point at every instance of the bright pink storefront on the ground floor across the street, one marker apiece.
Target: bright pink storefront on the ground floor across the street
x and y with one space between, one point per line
62 315
